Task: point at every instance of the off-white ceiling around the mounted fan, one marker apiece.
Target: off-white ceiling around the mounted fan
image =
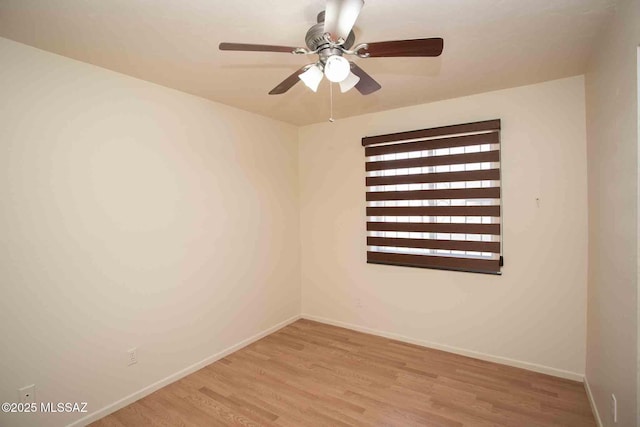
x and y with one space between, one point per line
489 44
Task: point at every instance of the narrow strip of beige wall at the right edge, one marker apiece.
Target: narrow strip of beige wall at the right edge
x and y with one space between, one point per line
612 135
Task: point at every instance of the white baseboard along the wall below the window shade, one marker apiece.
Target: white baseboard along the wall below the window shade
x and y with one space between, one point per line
470 353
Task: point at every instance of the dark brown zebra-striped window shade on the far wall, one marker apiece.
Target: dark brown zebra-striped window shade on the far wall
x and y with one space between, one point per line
433 198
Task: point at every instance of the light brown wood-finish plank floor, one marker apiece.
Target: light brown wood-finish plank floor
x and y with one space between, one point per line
312 374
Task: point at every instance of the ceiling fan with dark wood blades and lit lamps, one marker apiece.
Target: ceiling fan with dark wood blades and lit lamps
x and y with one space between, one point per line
331 39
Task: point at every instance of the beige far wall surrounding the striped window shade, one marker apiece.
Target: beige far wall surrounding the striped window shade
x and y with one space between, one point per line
534 314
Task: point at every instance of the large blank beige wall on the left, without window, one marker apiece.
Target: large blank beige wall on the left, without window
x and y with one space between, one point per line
133 215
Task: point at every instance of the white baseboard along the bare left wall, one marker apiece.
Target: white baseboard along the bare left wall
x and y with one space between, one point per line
100 413
